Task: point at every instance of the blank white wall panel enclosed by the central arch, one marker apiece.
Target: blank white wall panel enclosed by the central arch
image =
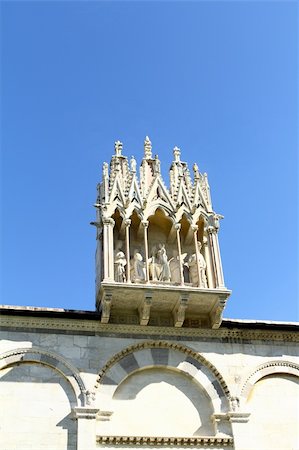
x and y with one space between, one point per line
179 405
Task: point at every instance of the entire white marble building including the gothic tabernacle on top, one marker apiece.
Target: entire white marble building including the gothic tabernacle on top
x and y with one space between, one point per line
155 365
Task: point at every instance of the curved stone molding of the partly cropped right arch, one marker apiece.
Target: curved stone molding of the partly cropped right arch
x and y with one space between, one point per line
274 367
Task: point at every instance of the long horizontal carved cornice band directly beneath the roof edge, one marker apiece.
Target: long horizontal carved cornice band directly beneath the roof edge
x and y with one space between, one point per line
94 326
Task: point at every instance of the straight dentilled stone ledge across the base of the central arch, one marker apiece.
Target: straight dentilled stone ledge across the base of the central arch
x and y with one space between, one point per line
211 441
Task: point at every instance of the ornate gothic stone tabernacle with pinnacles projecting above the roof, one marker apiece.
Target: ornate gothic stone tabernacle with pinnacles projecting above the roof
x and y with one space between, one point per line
158 254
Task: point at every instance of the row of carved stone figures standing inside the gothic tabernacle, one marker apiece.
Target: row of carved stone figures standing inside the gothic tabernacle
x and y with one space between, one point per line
162 269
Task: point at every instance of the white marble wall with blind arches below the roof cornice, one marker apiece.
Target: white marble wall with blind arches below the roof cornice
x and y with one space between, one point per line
155 396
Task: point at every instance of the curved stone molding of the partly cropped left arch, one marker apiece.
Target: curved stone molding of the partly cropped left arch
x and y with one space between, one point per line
51 359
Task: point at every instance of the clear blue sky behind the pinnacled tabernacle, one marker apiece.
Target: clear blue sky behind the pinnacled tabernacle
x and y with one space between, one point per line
217 79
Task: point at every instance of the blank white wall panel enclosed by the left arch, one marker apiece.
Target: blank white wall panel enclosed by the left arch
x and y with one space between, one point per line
36 408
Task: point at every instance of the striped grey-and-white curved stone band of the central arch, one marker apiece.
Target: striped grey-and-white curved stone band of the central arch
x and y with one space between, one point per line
194 364
